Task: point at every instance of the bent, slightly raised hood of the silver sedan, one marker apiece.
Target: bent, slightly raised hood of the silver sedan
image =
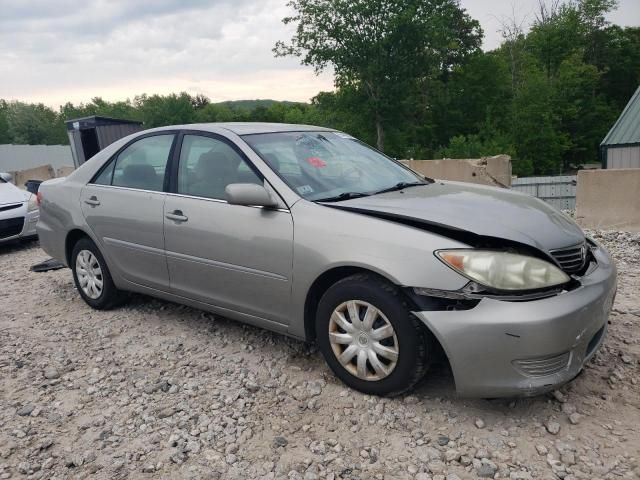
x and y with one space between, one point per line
483 211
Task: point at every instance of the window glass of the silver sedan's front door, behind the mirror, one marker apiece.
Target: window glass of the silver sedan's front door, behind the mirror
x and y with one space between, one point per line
208 165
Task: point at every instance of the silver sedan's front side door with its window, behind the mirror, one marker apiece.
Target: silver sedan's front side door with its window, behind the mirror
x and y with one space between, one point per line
234 257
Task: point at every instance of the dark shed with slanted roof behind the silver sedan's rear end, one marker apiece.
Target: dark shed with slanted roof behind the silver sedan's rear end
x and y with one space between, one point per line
89 135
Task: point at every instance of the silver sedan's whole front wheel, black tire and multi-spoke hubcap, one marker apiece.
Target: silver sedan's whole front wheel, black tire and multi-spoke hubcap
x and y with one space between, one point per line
369 337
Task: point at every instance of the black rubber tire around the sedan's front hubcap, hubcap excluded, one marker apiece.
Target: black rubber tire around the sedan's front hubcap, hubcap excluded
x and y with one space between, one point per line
413 340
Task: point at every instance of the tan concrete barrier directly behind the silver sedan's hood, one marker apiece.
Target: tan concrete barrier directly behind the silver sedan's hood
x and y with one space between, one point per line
494 171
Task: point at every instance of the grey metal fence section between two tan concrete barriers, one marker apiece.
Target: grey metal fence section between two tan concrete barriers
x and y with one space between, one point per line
558 191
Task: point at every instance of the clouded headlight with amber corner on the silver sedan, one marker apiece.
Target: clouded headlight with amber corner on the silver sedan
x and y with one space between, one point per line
502 270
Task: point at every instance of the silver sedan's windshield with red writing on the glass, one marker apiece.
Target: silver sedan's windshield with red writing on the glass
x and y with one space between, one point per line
329 165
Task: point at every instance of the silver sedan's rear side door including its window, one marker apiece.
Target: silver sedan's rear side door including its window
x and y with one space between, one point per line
123 205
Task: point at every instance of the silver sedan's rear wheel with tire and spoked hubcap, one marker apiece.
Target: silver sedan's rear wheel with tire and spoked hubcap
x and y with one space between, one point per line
92 277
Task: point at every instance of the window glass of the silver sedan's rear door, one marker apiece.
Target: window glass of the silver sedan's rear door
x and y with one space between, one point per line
141 165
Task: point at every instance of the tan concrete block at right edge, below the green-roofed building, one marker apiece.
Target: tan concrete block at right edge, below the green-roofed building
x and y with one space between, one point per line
609 199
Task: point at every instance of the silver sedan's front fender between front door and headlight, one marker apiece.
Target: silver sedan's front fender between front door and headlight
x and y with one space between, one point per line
326 238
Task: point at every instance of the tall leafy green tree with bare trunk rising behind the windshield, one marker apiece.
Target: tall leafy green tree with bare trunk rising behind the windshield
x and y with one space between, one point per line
381 47
